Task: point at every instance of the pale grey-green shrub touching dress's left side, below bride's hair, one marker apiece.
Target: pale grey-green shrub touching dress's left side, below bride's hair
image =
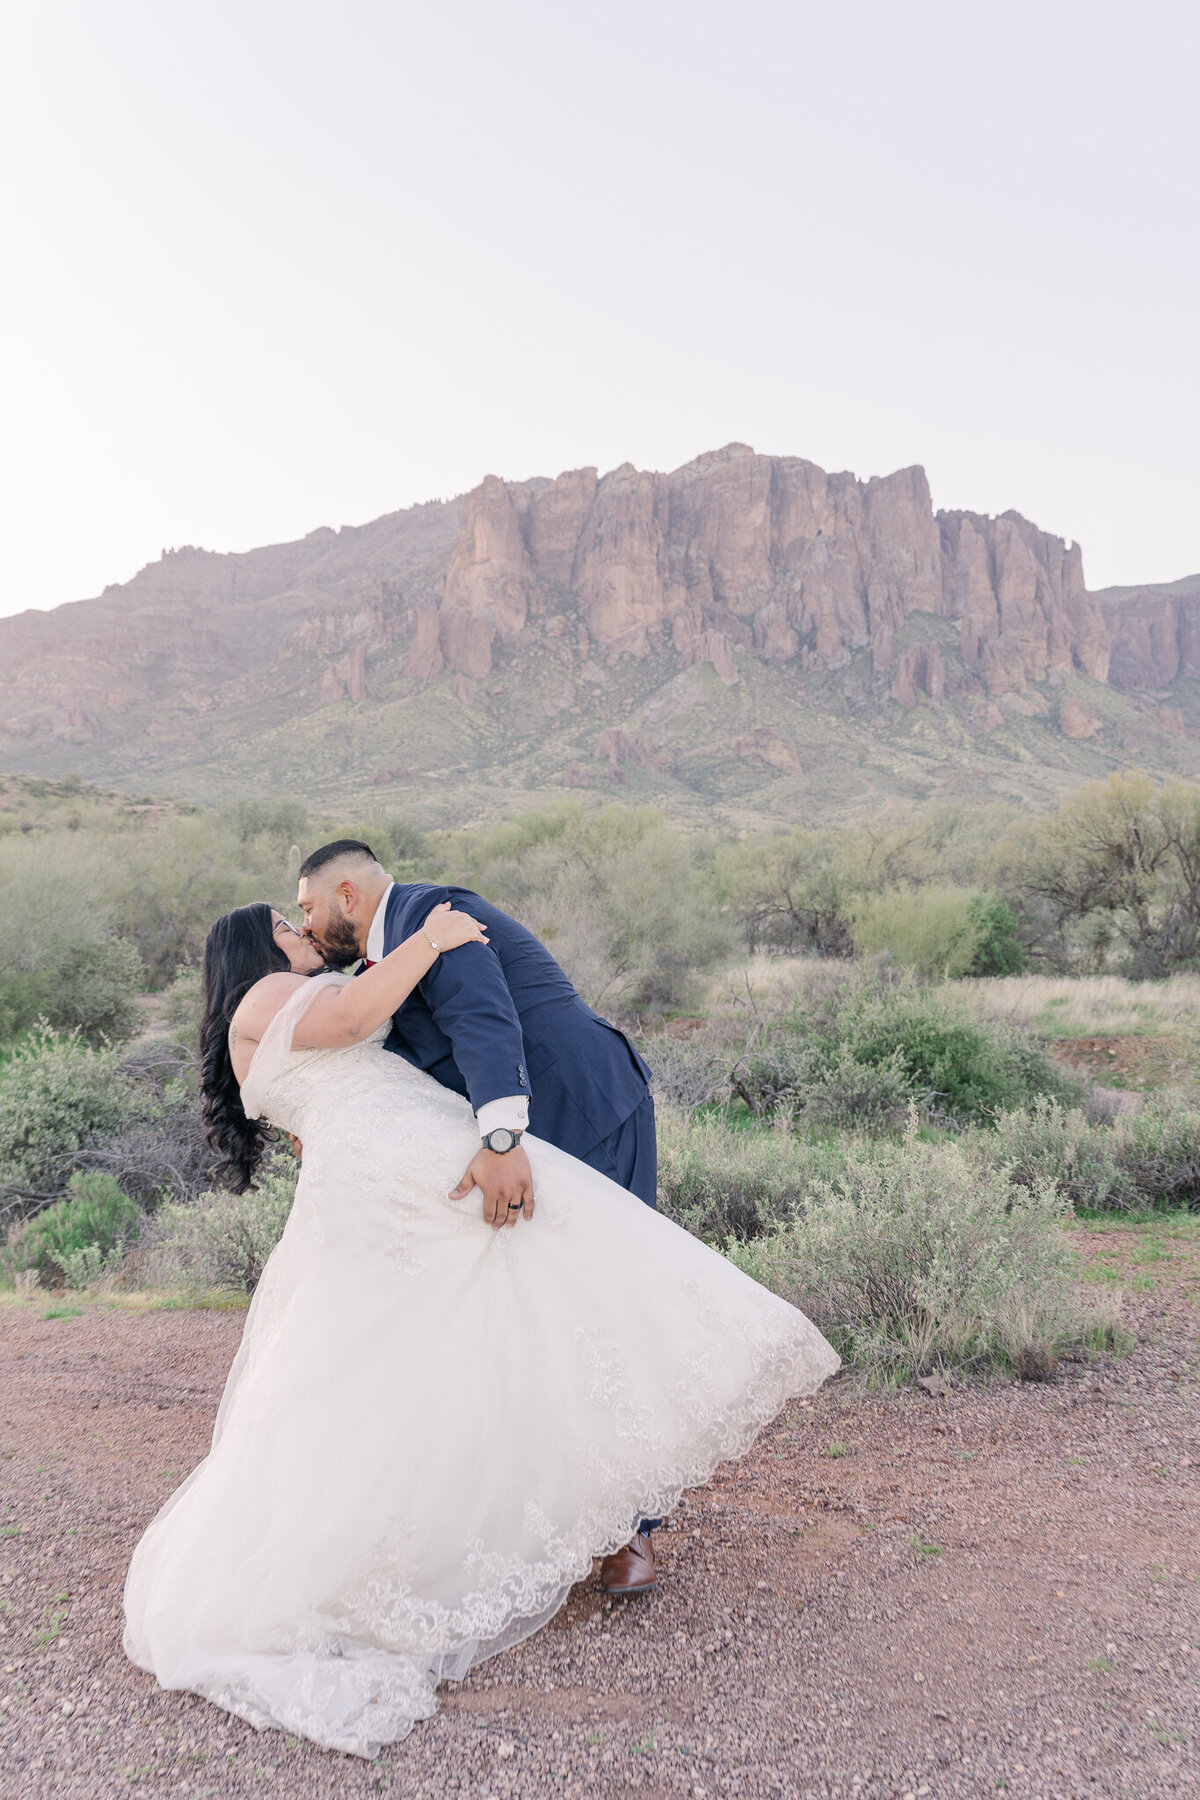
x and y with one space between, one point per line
222 1239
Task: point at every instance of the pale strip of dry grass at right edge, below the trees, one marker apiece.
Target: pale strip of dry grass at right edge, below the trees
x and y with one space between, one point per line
1091 1005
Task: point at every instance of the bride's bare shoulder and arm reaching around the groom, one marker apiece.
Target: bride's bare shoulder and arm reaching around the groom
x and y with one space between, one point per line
346 1016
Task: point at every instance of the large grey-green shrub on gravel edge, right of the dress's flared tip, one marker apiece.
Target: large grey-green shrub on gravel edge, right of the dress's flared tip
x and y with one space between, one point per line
915 1259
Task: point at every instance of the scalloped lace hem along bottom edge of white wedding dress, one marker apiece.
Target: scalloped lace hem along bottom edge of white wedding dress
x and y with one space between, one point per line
355 1695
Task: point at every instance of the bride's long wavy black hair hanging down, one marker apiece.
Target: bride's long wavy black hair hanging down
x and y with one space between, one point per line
238 951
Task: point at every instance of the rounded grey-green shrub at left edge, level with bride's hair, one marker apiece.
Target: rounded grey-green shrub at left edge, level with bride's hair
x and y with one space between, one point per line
55 1095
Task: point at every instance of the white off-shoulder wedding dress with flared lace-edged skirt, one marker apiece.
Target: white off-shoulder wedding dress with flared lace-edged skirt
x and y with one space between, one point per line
433 1428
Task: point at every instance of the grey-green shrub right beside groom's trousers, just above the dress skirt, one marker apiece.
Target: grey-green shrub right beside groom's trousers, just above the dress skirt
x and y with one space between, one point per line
726 1183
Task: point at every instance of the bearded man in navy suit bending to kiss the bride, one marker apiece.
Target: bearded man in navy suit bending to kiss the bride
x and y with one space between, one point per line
501 1025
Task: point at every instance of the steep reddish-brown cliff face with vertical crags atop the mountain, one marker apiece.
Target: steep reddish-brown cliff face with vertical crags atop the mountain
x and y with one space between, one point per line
764 553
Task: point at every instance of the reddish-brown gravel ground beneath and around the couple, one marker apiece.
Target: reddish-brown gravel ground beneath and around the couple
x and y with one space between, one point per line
996 1590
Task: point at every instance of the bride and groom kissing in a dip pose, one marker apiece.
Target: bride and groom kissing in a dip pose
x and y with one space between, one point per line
478 1358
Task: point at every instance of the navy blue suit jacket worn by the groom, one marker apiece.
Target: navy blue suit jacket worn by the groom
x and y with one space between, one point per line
503 1020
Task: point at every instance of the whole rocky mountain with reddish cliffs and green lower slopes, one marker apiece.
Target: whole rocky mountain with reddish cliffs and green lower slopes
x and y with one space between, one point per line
748 634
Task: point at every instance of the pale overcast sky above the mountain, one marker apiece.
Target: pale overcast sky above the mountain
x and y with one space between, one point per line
274 265
